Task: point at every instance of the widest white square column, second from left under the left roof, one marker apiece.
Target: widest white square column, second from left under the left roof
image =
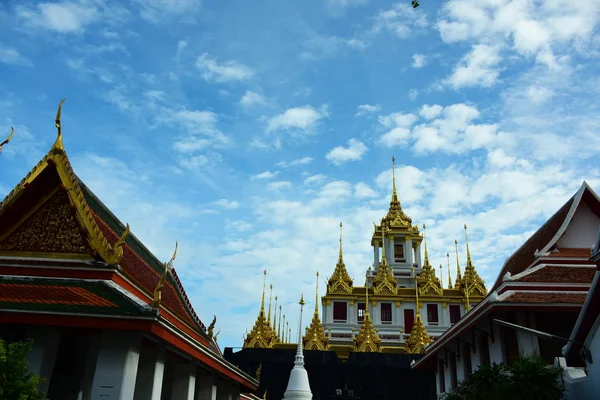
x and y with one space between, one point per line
116 367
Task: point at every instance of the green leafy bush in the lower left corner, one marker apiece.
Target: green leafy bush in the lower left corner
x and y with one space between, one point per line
16 383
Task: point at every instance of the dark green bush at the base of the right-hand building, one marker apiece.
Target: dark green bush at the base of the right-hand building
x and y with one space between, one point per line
528 377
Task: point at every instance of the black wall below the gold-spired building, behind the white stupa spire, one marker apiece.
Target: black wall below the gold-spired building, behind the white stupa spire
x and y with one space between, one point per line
371 376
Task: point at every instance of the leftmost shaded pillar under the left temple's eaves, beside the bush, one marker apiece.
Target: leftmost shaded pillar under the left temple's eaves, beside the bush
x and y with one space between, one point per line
43 355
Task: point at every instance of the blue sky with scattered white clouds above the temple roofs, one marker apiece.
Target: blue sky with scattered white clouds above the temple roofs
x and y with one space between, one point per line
248 130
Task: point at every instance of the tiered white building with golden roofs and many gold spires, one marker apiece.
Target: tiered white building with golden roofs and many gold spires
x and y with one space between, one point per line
403 304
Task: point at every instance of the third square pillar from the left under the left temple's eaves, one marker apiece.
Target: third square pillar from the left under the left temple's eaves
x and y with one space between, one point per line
150 373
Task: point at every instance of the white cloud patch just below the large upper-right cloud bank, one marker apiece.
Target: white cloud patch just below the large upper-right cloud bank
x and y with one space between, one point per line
477 68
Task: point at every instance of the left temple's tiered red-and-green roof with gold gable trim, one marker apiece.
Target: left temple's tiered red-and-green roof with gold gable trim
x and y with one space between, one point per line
81 260
